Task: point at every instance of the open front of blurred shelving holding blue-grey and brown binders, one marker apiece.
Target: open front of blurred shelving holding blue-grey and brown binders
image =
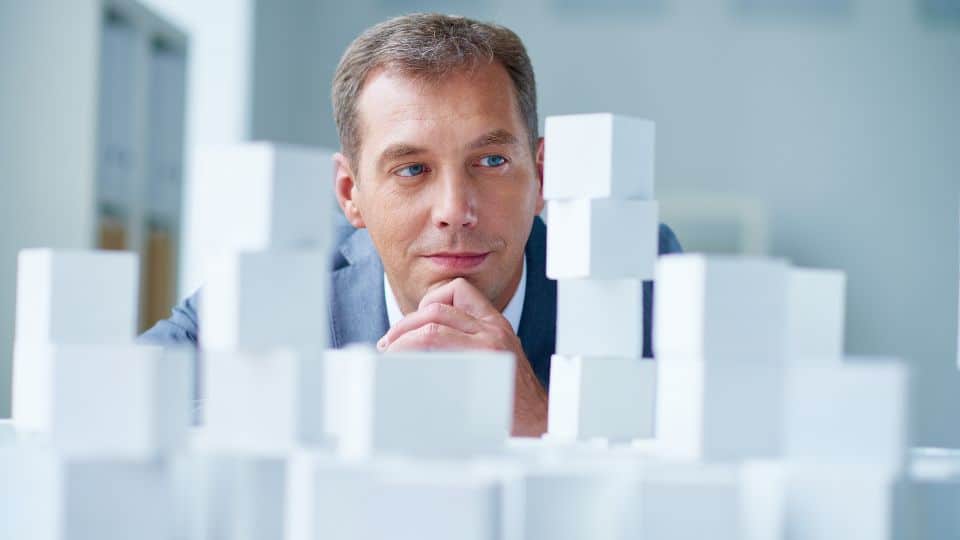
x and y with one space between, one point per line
139 175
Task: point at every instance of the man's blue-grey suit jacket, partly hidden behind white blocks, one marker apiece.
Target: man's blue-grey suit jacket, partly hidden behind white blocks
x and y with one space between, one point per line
357 309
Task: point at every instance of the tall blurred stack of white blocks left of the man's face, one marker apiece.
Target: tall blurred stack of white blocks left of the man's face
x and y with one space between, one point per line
263 215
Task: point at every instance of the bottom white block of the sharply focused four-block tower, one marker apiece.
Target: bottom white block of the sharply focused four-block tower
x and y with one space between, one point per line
601 397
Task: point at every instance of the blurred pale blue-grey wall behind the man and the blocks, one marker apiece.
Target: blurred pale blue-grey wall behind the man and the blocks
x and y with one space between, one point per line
824 131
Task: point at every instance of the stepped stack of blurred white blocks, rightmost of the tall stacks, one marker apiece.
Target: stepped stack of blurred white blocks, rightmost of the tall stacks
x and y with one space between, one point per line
845 423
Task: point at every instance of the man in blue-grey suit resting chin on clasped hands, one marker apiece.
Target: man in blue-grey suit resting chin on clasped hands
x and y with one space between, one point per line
440 177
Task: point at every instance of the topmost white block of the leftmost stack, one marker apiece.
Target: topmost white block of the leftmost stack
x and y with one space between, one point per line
71 296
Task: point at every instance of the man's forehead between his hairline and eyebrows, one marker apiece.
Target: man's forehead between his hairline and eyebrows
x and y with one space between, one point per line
395 107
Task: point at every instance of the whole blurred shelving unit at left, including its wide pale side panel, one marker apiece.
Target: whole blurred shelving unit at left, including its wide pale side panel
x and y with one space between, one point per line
92 142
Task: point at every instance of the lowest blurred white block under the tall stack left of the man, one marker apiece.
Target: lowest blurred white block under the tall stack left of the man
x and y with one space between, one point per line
225 497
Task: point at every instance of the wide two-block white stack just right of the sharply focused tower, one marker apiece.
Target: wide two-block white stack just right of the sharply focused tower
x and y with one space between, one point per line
720 327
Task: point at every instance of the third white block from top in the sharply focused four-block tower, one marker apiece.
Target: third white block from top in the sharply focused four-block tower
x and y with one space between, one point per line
600 317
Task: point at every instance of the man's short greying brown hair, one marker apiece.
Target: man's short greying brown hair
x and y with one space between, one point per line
429 46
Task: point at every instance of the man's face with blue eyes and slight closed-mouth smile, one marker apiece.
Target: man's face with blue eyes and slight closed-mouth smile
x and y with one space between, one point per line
446 182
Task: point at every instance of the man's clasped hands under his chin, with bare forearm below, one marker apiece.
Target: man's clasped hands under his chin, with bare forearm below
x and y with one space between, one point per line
458 316
